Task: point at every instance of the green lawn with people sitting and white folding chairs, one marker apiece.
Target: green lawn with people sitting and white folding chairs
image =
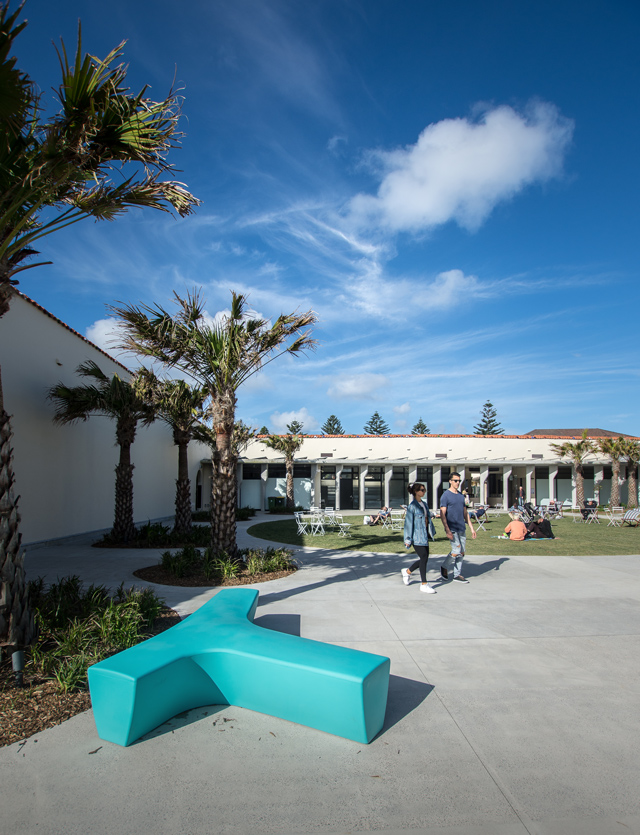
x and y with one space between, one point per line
572 539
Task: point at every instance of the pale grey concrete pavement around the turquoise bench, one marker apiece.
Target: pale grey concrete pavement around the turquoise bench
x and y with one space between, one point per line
513 709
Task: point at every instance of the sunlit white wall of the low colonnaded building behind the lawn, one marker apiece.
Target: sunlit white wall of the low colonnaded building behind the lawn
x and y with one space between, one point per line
492 467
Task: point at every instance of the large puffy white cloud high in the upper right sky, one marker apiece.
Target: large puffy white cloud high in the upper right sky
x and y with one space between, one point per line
461 169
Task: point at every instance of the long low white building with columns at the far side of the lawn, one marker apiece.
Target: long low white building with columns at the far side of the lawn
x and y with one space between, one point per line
365 472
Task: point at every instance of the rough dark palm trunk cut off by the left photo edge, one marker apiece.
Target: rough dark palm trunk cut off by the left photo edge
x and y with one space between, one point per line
17 625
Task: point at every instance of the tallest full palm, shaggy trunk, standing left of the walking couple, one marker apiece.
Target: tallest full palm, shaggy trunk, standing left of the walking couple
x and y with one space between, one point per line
220 357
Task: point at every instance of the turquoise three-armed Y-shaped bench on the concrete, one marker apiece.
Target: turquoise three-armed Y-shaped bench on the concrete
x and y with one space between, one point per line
219 656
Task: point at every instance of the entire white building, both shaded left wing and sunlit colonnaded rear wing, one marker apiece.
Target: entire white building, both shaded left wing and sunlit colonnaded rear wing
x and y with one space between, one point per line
65 474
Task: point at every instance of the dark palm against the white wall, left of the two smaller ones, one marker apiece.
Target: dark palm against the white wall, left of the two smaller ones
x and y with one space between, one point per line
113 398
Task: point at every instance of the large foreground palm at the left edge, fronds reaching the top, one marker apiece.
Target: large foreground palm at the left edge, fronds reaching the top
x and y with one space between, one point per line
70 162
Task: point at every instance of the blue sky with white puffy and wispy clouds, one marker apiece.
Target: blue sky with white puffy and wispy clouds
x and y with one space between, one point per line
452 187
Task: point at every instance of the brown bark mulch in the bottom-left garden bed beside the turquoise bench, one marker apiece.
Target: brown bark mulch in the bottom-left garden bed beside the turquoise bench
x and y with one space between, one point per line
41 705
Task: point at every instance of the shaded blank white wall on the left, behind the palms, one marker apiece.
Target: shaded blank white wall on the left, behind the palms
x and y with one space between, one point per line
65 475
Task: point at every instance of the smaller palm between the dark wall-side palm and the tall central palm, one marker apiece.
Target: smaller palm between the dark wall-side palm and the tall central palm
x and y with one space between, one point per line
179 405
